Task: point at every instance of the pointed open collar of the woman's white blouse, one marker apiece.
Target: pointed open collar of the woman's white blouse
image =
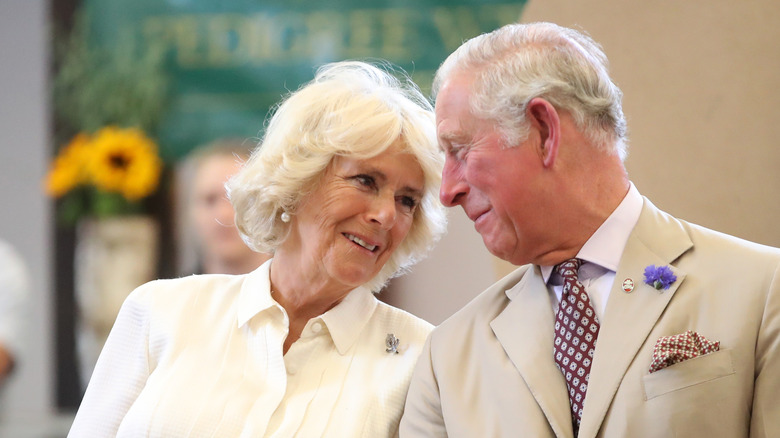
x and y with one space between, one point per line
344 321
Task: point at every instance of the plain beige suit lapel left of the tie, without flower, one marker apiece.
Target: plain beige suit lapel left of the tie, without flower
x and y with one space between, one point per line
525 330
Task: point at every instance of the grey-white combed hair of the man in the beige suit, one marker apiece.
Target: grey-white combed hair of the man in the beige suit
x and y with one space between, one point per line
519 62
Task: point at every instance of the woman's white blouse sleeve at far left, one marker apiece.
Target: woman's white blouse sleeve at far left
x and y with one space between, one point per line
121 371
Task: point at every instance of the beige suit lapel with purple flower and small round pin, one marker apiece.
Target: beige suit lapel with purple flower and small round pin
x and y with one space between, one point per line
658 239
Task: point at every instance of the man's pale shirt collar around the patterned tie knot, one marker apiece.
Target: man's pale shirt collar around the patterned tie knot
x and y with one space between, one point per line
605 246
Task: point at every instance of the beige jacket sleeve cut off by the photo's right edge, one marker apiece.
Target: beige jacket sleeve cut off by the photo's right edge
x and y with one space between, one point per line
765 418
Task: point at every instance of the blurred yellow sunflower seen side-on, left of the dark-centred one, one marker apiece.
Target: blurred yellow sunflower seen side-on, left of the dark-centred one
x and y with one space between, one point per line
68 169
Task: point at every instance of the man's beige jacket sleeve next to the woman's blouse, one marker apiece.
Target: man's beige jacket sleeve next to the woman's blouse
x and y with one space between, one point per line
422 414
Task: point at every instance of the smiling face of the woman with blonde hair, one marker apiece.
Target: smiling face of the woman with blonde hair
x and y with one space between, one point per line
361 210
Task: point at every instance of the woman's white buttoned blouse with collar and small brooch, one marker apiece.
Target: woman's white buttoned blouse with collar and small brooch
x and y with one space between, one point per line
201 356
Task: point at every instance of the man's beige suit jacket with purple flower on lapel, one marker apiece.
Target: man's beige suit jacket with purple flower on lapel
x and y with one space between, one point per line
488 371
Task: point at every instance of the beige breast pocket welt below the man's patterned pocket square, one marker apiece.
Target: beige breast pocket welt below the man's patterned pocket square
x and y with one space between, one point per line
688 373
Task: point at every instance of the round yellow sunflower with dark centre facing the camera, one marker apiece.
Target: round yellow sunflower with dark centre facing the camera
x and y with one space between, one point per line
124 161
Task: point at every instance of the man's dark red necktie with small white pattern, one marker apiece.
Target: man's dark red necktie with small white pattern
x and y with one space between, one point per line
576 330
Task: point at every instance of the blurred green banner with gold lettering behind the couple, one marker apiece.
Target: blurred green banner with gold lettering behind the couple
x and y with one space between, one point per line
231 60
